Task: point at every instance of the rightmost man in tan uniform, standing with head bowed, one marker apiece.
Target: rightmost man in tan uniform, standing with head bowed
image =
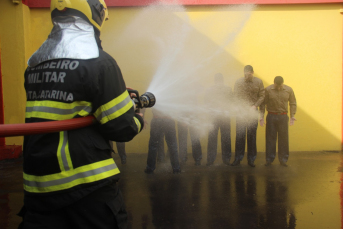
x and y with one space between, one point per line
277 98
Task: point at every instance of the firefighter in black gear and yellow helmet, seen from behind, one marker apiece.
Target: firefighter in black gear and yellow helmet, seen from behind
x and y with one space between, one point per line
70 178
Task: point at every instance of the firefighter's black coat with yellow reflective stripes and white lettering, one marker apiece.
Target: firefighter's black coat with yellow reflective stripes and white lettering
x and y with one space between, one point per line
62 167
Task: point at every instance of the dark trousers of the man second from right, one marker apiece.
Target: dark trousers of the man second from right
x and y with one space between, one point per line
246 129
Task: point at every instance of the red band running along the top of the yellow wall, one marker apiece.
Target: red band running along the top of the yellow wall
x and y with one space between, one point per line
46 3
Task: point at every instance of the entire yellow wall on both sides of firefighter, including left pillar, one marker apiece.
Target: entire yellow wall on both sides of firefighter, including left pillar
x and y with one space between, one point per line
302 43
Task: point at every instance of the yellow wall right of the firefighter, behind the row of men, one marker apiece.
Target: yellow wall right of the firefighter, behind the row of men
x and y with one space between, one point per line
302 43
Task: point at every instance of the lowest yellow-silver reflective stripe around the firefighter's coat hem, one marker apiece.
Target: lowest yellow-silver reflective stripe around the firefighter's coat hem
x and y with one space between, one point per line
68 179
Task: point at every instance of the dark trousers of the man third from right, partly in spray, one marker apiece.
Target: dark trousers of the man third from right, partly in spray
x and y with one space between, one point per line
224 125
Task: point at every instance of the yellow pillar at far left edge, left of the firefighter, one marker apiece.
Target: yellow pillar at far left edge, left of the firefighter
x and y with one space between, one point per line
13 34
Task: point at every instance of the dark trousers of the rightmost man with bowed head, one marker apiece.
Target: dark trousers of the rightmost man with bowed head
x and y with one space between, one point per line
277 129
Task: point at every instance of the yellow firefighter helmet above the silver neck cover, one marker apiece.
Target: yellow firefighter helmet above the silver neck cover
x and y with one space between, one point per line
94 11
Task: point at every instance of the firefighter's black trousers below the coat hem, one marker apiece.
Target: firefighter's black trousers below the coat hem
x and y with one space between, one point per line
103 209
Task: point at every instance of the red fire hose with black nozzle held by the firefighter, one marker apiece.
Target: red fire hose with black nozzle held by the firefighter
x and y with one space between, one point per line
10 130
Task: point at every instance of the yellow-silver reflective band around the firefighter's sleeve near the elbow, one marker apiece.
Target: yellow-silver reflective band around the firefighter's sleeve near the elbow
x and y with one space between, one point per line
114 109
